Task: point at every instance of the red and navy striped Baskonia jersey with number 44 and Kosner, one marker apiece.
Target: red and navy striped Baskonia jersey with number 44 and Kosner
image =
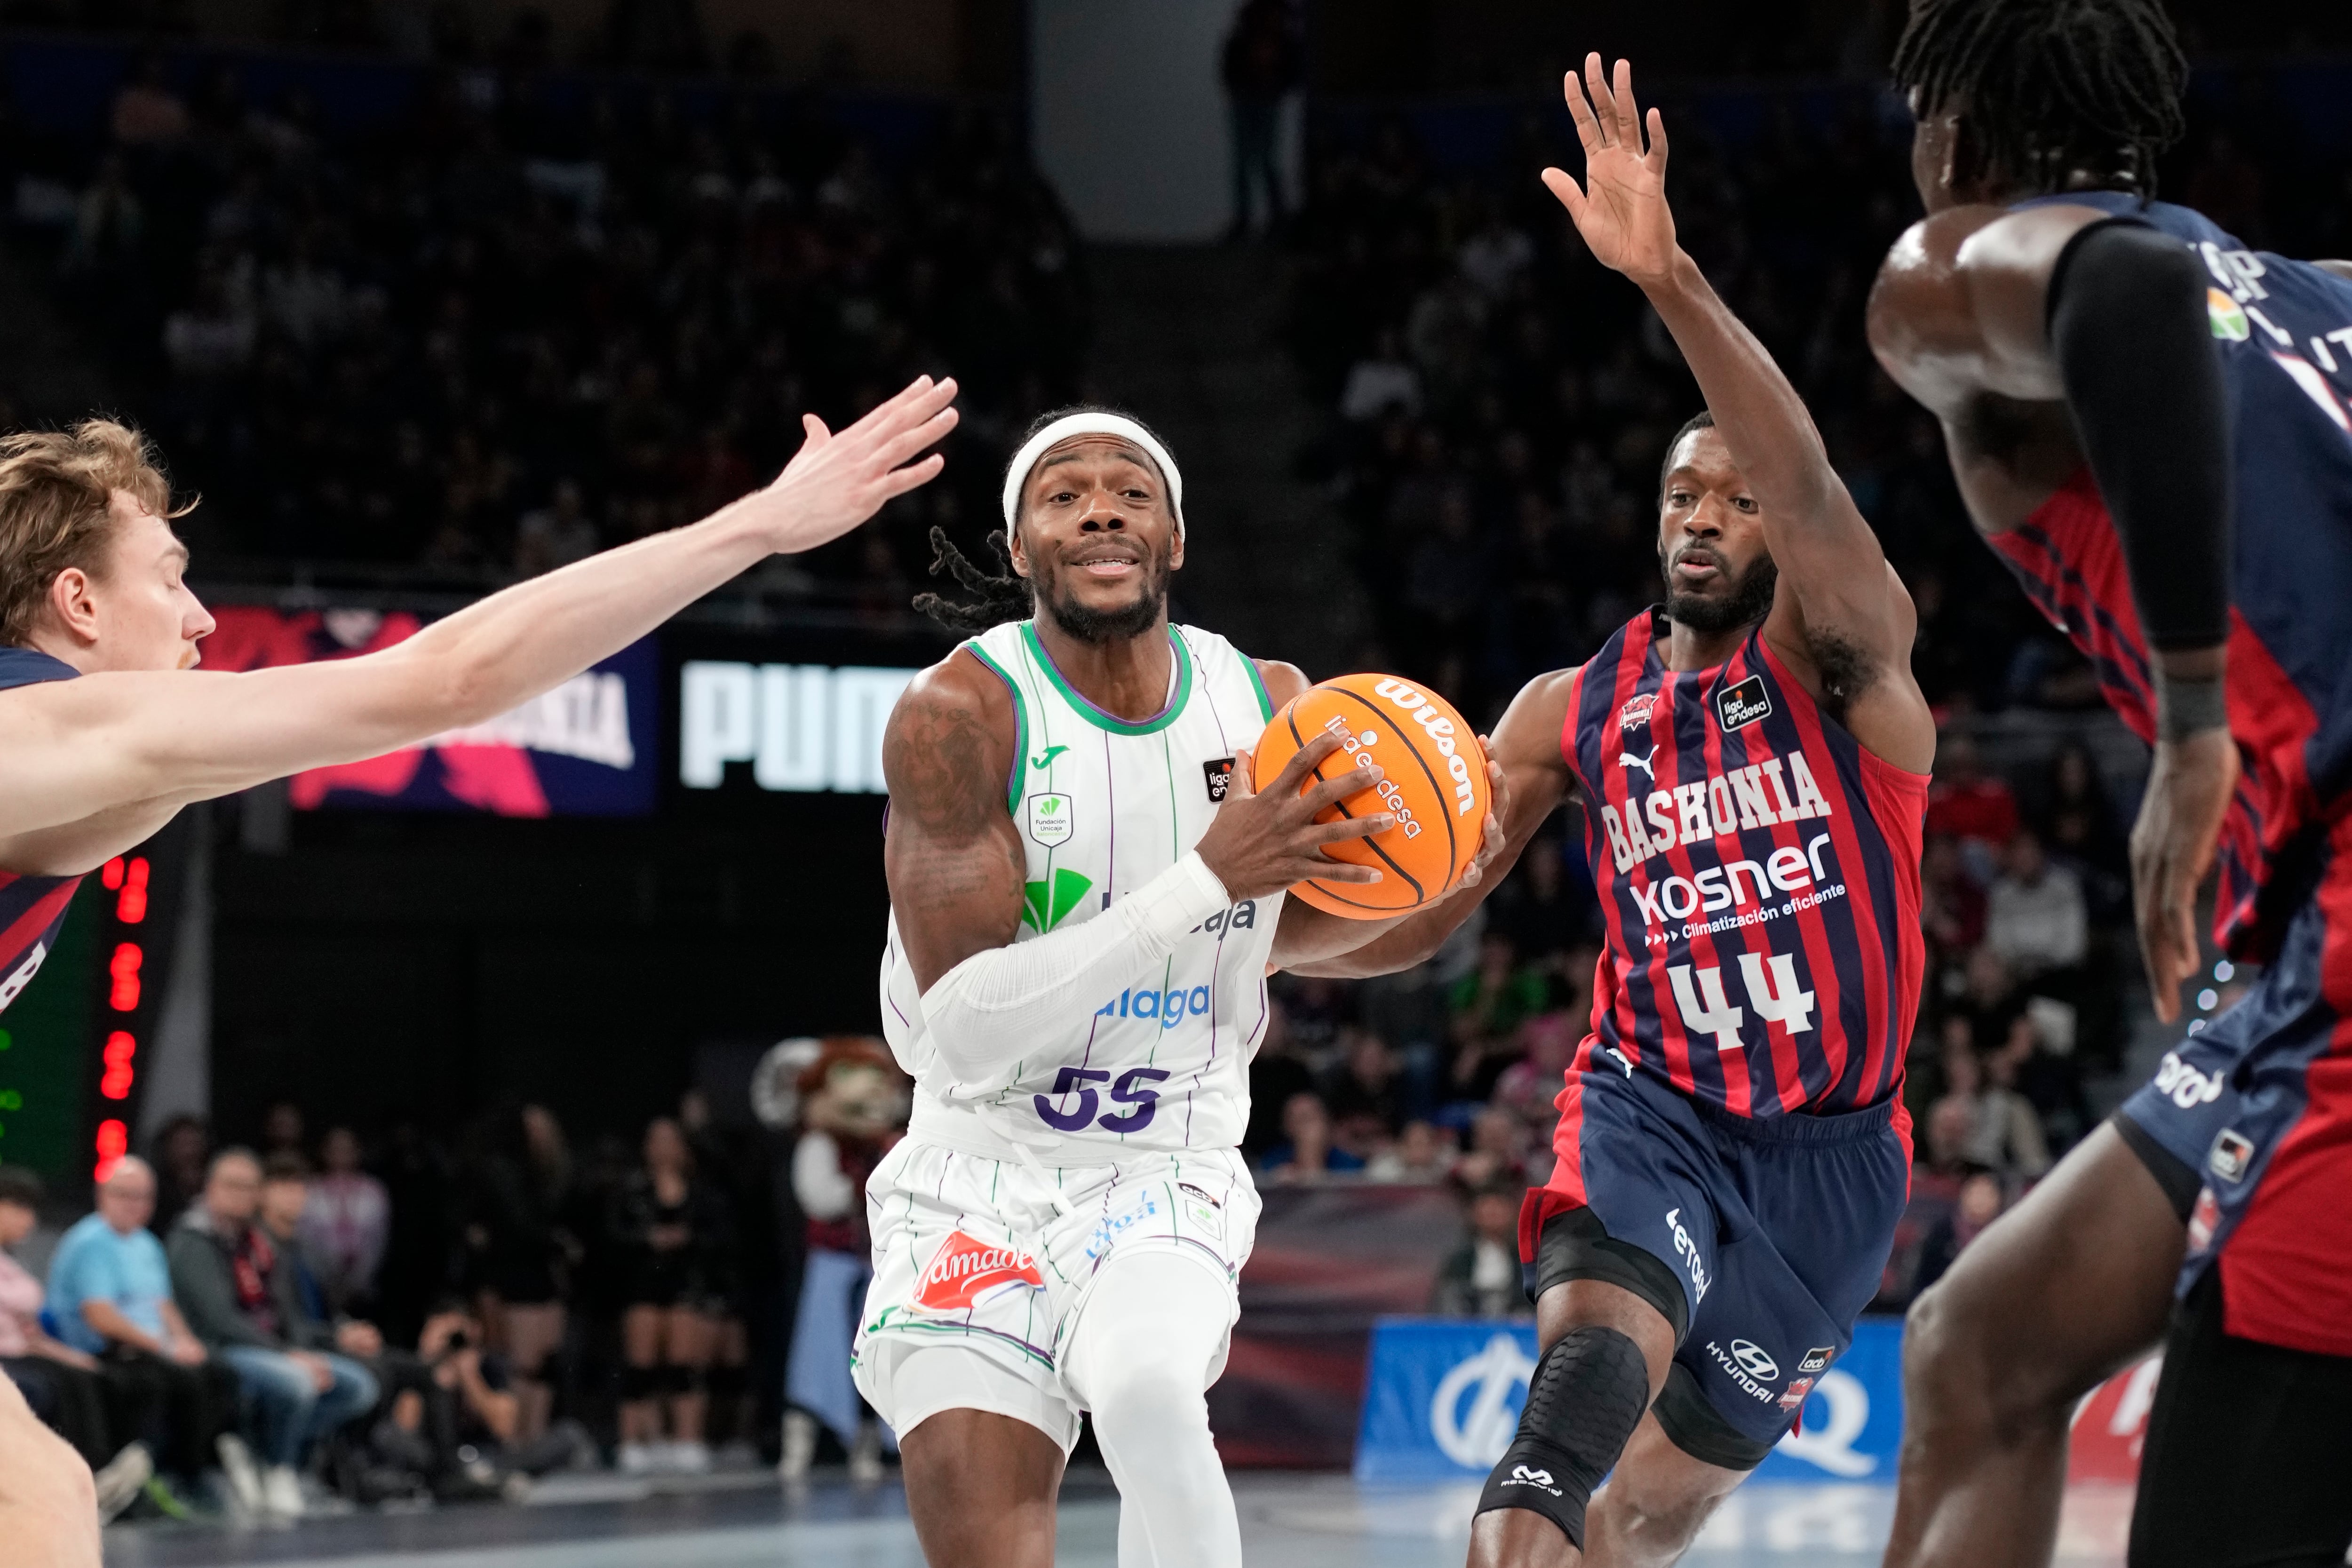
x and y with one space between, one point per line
1760 876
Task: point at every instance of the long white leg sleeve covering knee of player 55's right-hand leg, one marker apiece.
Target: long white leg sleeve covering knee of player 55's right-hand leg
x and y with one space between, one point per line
1140 1360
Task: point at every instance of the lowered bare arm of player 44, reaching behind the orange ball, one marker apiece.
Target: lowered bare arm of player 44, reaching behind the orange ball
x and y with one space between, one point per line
1530 782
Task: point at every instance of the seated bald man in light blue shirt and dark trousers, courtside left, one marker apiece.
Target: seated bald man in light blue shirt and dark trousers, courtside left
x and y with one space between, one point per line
112 1299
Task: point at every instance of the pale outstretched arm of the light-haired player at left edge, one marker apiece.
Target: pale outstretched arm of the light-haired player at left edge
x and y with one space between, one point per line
116 739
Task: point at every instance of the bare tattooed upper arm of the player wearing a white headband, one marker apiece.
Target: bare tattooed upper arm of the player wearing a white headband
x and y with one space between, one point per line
951 855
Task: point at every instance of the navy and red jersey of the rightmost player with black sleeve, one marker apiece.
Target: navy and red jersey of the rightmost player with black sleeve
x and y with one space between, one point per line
2285 335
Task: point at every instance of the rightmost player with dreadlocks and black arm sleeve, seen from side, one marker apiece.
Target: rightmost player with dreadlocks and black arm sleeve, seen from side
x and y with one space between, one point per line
2151 424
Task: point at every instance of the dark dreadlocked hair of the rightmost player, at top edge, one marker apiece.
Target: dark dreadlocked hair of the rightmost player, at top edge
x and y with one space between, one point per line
2052 86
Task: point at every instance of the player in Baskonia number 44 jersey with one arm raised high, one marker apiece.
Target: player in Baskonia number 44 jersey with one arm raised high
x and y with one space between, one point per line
1753 768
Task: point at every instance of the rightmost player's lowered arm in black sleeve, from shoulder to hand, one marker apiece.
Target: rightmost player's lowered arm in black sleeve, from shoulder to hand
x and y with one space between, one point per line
2109 316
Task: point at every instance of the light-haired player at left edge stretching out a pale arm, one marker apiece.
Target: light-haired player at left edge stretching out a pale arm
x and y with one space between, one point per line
107 728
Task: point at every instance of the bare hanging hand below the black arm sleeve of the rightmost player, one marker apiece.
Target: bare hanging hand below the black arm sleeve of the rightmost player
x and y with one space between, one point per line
2172 847
